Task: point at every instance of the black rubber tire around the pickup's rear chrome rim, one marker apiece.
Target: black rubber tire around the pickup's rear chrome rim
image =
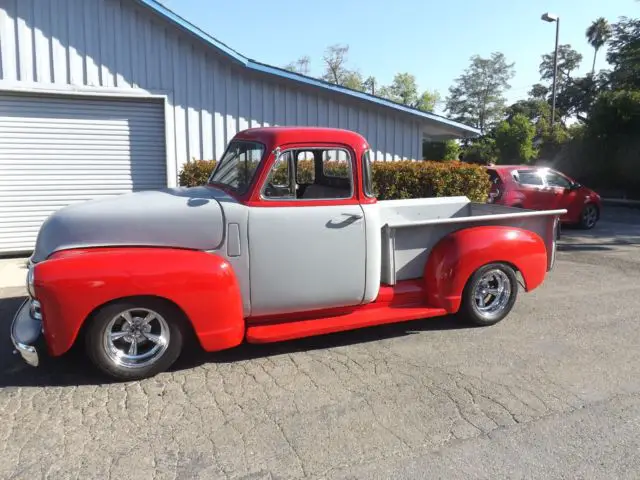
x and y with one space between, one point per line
470 312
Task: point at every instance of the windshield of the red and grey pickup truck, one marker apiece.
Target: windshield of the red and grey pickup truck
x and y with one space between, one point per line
238 165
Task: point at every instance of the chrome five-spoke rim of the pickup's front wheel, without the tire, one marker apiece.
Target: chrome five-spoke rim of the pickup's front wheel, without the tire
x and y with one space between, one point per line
136 338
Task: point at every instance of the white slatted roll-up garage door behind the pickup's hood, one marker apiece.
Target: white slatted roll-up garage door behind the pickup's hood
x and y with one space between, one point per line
55 151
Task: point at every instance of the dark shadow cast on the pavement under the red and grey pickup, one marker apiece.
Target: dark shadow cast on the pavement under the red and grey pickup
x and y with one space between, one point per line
73 369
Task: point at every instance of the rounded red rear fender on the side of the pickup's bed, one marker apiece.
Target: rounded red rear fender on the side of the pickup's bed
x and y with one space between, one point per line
453 260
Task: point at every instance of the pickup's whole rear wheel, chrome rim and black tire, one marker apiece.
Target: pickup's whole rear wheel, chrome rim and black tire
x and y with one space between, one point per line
489 294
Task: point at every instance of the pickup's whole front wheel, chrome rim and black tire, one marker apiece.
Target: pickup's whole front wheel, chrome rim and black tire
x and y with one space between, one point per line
134 339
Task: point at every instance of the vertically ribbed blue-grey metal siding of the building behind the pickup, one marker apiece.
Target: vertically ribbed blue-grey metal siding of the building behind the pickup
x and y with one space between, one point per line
119 44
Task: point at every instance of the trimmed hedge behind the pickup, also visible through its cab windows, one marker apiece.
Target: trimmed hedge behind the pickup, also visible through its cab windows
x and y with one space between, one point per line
392 180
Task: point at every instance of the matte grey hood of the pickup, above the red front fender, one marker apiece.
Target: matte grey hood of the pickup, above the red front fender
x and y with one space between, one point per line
183 217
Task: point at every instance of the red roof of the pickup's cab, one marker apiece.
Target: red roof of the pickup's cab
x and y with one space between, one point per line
293 134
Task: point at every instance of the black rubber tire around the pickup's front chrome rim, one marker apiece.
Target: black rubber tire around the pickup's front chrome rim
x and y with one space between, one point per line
98 351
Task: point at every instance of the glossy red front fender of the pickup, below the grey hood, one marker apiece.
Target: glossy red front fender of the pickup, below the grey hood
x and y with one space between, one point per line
71 284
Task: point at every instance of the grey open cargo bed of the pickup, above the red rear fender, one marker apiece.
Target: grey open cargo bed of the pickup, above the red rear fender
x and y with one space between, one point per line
411 228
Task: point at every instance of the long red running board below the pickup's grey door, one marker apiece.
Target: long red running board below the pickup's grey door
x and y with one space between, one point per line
359 318
